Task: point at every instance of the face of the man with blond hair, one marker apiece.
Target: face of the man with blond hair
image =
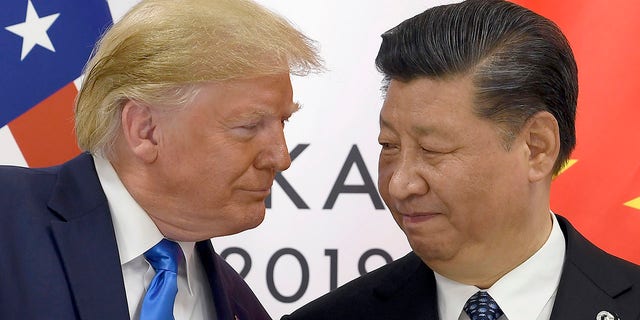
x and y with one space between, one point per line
210 165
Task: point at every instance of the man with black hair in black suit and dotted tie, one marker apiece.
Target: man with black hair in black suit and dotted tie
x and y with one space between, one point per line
478 117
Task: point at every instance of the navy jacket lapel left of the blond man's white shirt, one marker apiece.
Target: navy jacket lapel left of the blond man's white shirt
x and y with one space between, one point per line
86 242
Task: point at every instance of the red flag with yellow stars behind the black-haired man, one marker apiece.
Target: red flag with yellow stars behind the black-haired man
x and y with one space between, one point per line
599 190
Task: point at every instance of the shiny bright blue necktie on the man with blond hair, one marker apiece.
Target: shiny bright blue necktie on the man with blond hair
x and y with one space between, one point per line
161 295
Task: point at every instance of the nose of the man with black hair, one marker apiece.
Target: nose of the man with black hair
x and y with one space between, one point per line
406 180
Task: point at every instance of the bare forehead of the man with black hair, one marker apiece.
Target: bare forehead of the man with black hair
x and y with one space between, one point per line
424 103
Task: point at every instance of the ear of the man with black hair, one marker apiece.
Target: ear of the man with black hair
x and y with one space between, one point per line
543 140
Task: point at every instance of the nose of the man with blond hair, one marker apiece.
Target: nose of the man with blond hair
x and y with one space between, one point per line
274 154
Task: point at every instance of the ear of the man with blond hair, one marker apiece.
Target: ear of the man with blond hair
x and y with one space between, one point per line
139 131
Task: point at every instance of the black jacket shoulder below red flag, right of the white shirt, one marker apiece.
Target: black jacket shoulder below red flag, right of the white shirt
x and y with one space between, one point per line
593 281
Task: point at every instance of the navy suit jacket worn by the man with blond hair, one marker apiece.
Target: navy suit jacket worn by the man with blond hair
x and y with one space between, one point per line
59 257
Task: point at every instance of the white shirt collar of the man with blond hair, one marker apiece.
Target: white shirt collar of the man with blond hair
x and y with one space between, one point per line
135 231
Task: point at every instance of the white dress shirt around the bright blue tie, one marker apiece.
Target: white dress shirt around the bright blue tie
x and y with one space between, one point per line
135 234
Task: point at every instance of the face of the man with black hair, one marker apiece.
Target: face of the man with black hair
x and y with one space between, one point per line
452 186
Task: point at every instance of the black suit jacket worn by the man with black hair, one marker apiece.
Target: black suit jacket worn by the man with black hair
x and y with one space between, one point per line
591 281
